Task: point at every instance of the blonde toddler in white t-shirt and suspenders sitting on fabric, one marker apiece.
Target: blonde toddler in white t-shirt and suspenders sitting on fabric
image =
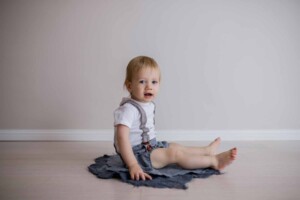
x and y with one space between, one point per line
135 136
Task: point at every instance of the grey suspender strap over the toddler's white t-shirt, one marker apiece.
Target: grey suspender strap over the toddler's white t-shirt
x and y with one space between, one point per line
145 136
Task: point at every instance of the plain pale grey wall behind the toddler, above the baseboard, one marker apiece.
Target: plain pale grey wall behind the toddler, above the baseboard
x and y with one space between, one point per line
226 64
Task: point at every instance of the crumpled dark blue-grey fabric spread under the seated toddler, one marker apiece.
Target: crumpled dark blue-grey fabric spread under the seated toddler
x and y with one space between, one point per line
172 176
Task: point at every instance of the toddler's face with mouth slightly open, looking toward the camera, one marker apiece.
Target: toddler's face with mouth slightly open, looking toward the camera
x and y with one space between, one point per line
145 85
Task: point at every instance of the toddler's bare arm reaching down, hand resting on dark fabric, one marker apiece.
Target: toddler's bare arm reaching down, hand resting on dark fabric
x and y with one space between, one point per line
126 152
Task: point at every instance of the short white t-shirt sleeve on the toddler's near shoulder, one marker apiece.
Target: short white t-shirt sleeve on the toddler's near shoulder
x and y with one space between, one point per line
124 115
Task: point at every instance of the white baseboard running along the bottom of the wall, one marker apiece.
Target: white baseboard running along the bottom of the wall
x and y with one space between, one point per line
169 135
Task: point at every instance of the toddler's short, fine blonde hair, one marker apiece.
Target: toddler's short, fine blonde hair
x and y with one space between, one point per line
137 64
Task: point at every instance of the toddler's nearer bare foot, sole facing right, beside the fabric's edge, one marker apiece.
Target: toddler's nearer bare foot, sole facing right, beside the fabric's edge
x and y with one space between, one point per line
224 159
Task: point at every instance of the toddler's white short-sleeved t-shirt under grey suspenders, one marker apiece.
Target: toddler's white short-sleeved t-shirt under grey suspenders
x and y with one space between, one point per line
129 116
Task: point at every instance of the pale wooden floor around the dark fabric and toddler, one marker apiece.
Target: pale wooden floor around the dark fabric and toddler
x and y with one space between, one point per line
58 170
